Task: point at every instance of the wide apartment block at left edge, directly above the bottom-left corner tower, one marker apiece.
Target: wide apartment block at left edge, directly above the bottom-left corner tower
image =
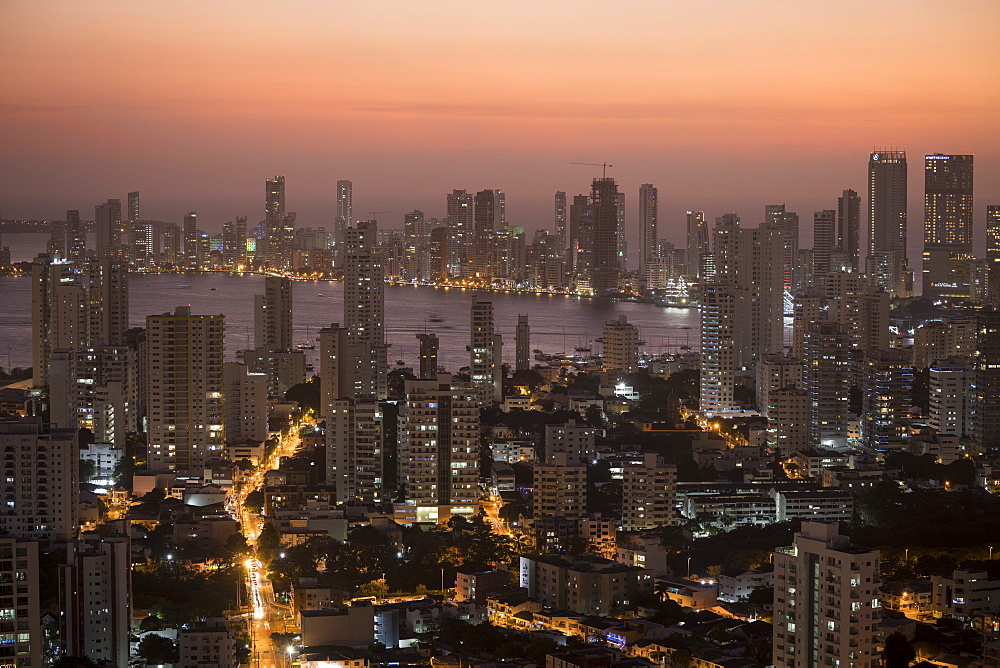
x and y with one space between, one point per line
41 482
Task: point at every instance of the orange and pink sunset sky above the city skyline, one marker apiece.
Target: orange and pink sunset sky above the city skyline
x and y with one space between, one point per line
724 105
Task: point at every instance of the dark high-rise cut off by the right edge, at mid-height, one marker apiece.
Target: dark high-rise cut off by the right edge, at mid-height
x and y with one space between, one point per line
986 381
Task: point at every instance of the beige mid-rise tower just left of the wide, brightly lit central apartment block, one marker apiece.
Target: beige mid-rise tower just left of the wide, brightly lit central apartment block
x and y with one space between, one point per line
354 434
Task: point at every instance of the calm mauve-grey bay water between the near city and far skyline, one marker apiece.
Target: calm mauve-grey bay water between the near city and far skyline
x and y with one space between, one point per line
558 323
